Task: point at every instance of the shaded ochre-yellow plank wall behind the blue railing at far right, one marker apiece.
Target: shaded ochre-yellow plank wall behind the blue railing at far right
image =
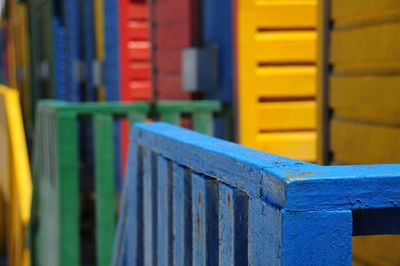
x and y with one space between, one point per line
359 77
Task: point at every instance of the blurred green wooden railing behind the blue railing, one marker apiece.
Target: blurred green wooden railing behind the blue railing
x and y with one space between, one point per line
55 228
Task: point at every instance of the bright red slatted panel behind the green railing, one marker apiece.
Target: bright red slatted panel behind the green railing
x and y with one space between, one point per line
135 78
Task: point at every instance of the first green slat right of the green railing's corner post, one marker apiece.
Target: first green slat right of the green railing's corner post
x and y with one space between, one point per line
104 185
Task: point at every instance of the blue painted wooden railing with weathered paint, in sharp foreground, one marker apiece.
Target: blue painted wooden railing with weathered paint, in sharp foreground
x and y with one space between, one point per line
193 199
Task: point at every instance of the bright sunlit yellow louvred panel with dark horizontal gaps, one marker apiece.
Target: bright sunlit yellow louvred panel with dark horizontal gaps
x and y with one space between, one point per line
276 55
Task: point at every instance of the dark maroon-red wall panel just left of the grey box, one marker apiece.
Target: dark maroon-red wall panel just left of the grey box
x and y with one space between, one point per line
175 24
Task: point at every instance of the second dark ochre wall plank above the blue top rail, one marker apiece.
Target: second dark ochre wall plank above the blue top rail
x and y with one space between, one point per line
371 98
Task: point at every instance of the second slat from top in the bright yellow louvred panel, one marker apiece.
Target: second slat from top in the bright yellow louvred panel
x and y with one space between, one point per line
286 46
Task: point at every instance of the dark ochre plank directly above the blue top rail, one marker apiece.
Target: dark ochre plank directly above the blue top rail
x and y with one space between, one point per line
357 143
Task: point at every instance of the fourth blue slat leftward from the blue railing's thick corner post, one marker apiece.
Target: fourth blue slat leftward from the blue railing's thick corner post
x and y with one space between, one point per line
164 209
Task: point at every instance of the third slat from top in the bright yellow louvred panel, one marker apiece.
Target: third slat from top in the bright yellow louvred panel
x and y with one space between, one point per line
285 81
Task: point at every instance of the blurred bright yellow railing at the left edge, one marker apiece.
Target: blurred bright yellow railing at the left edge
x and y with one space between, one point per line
15 181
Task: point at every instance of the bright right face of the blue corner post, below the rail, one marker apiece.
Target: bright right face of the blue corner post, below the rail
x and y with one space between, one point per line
316 238
